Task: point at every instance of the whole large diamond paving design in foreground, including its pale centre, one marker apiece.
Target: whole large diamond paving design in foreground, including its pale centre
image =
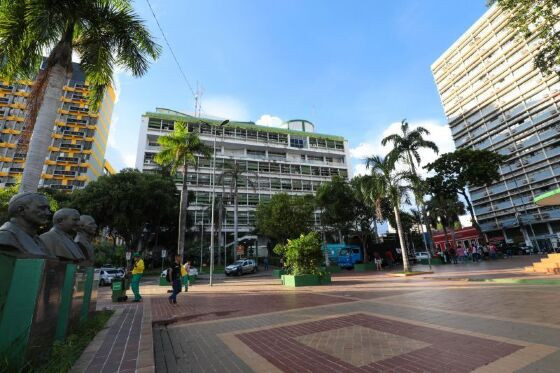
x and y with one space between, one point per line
422 349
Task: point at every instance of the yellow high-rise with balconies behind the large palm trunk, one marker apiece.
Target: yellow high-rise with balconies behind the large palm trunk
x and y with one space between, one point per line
79 139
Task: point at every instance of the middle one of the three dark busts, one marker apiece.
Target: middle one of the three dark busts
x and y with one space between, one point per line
59 240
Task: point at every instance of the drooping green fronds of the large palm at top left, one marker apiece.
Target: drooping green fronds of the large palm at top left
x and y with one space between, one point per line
104 34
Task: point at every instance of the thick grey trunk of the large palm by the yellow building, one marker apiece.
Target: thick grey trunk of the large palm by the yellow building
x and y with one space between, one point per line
41 137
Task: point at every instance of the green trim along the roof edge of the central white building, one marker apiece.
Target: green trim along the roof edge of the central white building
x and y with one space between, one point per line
244 125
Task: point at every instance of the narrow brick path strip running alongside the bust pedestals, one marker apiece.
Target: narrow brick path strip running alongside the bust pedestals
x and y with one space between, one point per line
119 349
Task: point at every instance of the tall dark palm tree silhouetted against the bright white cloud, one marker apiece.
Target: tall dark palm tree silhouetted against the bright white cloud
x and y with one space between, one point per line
406 146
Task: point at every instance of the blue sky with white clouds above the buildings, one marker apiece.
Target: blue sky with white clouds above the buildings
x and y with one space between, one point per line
354 68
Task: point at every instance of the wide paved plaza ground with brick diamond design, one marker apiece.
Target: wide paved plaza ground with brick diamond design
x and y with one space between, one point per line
439 322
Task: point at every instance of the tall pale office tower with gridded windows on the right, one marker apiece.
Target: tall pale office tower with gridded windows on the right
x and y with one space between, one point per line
494 98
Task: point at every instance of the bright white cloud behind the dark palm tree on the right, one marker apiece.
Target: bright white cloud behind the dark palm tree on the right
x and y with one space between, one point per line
439 133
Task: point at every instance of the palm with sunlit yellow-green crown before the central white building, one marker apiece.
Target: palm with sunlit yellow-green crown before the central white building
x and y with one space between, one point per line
179 149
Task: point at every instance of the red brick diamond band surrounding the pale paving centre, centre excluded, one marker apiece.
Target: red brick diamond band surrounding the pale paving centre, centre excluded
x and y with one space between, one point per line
447 352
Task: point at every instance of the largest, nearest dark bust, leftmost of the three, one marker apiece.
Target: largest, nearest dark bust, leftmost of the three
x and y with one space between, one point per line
18 236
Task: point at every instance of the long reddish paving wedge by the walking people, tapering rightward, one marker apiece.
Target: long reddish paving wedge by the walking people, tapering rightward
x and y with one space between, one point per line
205 307
